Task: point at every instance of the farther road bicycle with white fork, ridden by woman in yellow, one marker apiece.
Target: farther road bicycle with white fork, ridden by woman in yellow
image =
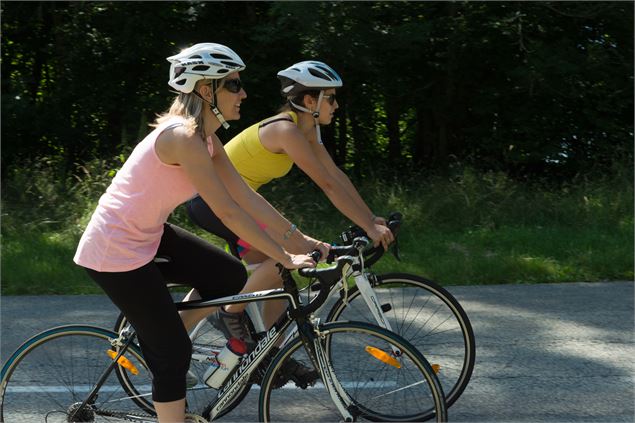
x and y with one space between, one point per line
418 309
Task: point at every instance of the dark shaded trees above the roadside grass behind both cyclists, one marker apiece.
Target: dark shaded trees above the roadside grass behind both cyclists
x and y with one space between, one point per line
529 88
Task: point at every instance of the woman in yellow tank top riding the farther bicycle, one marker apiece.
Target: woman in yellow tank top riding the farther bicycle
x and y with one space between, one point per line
268 149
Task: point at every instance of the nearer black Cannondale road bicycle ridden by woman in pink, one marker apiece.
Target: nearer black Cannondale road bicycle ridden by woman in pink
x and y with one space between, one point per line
83 373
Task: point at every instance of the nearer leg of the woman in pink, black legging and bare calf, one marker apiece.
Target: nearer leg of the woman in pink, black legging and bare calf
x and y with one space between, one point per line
143 297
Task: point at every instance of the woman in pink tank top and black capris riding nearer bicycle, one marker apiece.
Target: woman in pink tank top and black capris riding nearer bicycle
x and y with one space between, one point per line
181 157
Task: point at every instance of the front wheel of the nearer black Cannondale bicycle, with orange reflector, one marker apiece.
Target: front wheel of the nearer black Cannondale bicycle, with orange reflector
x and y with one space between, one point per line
369 383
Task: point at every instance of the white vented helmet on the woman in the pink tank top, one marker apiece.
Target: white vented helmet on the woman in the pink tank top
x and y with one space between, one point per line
202 61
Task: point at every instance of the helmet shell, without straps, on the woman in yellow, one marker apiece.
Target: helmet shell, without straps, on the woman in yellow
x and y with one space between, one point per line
308 75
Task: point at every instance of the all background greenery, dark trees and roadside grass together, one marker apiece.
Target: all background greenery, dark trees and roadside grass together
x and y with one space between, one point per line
503 130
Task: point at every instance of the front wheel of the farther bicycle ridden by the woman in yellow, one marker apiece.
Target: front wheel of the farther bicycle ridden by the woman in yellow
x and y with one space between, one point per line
429 317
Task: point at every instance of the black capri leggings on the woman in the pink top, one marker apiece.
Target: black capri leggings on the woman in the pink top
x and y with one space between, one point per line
143 297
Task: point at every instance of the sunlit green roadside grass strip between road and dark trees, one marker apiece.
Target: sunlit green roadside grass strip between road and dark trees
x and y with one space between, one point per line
467 229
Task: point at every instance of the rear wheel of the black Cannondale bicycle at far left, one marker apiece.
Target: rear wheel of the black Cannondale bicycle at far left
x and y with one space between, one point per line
52 373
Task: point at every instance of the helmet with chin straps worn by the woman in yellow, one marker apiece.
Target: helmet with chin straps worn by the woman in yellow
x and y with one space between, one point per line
306 76
